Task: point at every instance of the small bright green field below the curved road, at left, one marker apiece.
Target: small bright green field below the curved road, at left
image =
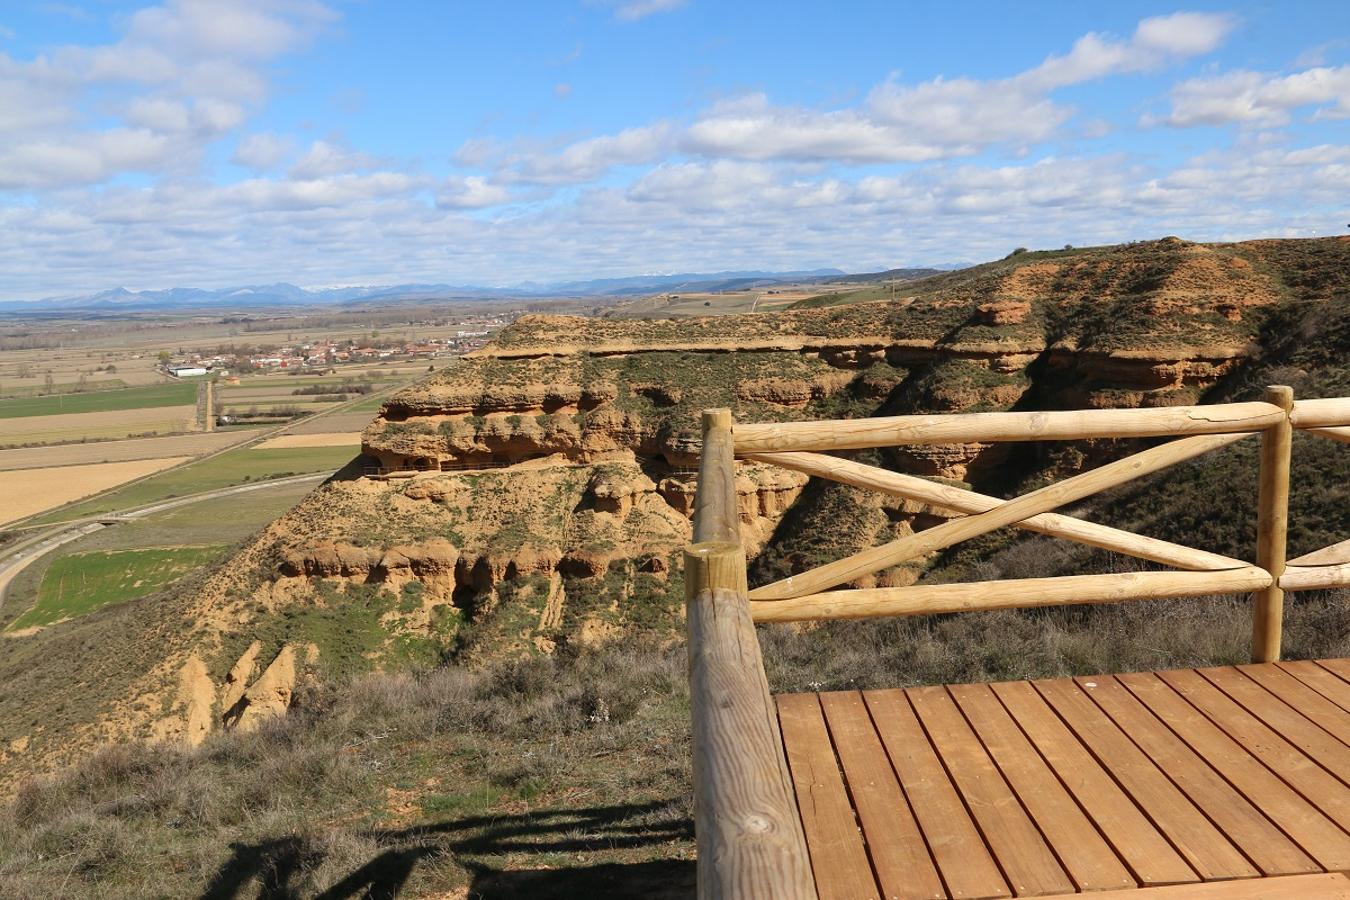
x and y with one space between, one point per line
83 582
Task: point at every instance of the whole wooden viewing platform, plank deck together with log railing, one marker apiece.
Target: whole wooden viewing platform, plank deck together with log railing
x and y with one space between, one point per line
1226 782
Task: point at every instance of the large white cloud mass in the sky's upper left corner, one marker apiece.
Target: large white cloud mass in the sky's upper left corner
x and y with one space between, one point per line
182 76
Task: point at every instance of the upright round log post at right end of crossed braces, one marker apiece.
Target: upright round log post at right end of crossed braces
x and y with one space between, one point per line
1272 528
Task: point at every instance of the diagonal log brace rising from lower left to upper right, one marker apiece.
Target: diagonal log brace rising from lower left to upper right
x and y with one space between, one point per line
961 530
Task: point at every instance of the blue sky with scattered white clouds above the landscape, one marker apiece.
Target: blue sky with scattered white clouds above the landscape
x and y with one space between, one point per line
357 142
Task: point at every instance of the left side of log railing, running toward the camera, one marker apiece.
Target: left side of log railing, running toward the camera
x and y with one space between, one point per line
750 833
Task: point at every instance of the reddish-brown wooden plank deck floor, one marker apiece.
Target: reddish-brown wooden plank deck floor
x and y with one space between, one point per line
1058 787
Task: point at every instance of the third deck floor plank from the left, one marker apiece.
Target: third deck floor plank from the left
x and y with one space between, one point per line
958 847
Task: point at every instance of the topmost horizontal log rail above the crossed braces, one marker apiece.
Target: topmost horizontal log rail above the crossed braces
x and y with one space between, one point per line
1078 424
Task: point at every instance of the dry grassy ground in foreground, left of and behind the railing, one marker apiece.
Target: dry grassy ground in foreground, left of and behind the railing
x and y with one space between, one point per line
543 778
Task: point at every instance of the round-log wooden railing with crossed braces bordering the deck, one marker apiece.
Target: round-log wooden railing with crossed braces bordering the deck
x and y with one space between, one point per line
750 837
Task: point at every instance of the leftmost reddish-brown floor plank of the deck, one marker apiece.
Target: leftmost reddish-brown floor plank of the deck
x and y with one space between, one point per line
839 857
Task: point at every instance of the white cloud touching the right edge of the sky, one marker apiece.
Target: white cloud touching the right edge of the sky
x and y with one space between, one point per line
1259 99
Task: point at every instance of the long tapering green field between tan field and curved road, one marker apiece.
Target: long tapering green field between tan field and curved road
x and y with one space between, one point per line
236 468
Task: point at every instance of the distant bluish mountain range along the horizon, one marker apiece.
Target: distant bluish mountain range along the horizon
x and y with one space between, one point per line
286 295
